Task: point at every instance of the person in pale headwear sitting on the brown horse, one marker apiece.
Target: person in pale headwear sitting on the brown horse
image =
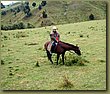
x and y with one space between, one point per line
54 36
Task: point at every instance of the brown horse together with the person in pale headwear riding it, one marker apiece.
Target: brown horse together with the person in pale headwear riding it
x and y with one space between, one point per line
59 47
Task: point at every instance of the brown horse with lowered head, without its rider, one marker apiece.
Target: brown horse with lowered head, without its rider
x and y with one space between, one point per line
60 49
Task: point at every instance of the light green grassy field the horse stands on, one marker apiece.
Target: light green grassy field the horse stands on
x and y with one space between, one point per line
22 49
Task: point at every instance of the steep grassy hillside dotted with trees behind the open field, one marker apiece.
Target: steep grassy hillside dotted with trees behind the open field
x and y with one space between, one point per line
59 12
